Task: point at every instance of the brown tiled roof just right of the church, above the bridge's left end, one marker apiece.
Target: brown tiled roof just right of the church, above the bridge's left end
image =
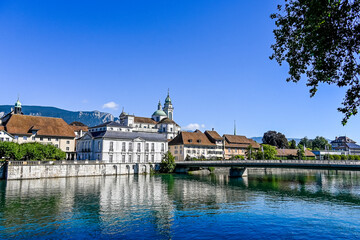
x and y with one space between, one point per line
196 138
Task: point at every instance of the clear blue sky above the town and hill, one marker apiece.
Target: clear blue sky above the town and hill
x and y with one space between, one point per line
213 55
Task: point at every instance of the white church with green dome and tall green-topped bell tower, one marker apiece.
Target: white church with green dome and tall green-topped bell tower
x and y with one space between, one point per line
161 121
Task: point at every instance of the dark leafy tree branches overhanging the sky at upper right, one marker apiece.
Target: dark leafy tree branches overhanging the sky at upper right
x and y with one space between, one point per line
321 39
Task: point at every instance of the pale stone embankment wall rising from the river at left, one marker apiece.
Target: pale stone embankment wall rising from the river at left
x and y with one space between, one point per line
37 169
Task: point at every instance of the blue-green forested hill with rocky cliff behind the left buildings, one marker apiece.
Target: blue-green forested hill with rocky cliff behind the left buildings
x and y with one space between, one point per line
90 118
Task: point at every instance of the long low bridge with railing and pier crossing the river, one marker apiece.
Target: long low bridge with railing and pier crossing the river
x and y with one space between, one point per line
239 167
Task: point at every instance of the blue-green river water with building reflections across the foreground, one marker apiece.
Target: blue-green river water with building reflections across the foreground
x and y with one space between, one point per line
272 204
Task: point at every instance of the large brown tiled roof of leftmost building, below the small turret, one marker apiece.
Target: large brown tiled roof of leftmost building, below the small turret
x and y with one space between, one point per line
45 126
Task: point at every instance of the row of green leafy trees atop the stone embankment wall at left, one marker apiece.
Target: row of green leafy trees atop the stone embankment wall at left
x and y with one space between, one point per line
30 151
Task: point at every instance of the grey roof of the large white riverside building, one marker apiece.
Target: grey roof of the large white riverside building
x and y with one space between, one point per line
155 137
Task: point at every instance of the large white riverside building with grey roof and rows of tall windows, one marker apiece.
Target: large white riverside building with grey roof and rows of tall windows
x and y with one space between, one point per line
115 143
